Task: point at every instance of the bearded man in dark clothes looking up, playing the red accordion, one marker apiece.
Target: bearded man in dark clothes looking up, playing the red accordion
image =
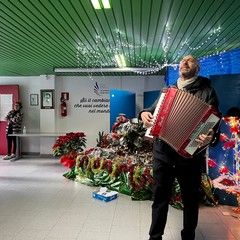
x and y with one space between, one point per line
168 164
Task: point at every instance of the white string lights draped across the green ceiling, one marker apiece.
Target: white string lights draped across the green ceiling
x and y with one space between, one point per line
101 53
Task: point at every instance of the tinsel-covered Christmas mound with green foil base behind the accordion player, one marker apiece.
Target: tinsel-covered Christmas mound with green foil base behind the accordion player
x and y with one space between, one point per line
122 162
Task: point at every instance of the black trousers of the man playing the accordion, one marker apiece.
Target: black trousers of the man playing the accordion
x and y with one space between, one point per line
188 173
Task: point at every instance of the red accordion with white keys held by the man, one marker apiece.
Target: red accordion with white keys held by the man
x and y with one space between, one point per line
179 118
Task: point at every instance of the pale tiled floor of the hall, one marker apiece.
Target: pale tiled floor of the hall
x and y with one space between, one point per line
37 202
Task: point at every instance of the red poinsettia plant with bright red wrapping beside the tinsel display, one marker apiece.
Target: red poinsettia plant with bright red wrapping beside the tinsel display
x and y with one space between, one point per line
68 147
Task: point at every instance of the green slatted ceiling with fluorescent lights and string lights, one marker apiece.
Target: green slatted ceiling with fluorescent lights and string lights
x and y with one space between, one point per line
37 36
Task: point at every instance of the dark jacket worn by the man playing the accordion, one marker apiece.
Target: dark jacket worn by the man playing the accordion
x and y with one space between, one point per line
202 89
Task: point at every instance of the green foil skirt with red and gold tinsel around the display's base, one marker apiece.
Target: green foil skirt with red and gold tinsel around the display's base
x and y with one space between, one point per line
127 178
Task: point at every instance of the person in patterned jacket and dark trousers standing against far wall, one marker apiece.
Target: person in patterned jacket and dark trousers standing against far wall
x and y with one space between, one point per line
14 120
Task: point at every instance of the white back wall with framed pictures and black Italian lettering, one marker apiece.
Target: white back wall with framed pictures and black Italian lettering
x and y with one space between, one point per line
78 119
